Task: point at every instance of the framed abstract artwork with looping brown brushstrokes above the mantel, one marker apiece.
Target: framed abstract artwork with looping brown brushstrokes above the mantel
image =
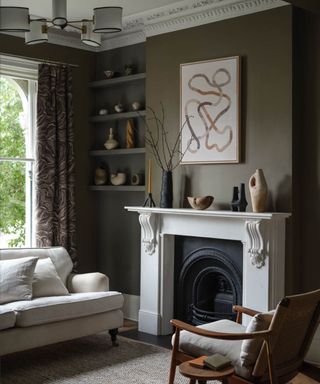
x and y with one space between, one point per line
210 111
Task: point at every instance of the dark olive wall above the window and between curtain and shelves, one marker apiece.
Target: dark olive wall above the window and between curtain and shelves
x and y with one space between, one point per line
82 106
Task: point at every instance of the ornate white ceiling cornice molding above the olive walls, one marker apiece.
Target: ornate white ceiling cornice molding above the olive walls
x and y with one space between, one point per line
177 16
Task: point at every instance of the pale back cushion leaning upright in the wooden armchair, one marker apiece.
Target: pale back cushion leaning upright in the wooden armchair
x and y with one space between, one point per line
250 348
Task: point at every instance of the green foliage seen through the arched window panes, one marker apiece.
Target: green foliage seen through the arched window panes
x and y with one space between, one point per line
12 174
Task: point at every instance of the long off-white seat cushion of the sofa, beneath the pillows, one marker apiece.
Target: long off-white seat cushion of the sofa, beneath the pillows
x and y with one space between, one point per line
44 310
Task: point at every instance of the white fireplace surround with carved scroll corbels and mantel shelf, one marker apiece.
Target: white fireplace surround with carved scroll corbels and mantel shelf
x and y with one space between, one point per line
263 239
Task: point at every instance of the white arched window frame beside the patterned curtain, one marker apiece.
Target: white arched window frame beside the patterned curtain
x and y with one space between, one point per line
17 68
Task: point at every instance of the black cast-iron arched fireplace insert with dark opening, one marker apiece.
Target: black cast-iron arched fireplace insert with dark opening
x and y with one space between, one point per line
209 284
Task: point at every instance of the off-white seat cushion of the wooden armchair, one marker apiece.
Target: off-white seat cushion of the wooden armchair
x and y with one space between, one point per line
195 345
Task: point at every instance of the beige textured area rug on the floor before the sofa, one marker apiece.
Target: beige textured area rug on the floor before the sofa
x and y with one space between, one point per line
90 360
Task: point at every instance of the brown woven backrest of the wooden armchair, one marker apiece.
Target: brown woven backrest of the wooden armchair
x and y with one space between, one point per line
292 328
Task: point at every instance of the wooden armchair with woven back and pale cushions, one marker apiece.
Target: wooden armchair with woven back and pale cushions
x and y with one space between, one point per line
270 350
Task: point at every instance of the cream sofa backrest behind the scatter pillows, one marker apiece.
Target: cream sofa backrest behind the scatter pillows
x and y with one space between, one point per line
58 255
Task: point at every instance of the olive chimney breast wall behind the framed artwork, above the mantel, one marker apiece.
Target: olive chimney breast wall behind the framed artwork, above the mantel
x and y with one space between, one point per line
264 42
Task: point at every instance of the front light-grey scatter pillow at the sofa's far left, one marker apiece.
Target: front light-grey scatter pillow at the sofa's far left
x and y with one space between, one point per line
16 279
